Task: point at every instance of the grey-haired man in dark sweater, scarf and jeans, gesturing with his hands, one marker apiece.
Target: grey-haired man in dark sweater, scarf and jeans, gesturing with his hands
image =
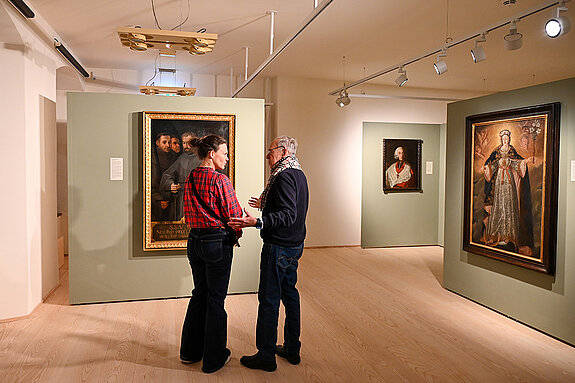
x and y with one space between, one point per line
284 204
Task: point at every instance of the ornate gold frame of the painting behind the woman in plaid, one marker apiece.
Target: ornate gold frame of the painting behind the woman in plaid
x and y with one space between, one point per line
200 124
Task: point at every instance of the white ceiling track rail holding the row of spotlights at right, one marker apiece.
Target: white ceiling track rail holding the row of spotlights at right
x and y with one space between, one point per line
453 43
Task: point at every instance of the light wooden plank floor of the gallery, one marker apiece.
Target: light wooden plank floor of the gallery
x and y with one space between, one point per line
377 315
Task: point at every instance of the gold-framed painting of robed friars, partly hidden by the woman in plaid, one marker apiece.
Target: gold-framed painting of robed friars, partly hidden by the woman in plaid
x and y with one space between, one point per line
169 157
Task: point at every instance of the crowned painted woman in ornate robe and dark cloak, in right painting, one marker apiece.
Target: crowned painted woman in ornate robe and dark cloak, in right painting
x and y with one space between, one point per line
508 199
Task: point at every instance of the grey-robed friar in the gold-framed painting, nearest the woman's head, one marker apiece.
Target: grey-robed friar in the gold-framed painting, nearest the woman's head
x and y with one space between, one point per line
175 176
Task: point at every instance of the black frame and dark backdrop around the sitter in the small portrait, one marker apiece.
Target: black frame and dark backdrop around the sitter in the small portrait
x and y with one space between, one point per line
412 149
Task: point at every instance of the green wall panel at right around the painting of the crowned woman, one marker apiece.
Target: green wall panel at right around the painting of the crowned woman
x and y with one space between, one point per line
539 300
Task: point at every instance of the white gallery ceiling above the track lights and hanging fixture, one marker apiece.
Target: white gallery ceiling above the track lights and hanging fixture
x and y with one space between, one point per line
371 34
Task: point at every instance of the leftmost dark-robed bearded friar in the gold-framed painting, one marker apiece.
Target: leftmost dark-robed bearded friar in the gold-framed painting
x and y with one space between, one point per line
161 160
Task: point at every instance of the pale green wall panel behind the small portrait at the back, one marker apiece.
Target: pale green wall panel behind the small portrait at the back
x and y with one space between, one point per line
399 219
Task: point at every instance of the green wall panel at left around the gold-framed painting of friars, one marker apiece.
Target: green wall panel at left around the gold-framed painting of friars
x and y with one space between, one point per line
105 233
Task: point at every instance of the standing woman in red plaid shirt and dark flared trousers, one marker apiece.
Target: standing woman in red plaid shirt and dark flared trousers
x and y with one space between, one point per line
209 202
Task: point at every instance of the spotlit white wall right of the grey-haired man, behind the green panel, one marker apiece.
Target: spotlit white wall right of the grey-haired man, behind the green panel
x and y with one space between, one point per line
330 148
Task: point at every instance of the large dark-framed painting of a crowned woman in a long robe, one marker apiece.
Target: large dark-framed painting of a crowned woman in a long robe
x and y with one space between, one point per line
511 171
